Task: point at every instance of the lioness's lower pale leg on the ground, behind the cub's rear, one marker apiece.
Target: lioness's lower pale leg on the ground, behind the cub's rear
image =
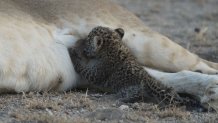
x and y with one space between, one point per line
203 87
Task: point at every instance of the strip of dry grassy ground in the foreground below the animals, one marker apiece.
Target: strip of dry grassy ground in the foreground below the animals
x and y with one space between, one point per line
81 108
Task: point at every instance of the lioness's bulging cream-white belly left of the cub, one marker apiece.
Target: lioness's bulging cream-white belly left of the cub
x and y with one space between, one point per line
31 58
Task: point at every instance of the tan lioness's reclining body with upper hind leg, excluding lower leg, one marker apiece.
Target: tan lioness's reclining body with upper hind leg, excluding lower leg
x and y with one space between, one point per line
35 34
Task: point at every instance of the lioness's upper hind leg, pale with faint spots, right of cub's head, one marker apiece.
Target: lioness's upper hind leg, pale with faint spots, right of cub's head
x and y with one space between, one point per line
157 51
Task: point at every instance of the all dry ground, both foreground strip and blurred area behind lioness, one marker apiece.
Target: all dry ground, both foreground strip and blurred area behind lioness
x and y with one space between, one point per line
191 23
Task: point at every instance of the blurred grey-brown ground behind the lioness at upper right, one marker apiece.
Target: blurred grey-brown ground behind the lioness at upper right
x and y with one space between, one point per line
191 23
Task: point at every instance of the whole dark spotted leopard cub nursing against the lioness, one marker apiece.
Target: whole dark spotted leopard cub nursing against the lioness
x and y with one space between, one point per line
105 61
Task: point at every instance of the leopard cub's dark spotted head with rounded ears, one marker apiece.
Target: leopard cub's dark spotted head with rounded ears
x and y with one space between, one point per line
101 38
